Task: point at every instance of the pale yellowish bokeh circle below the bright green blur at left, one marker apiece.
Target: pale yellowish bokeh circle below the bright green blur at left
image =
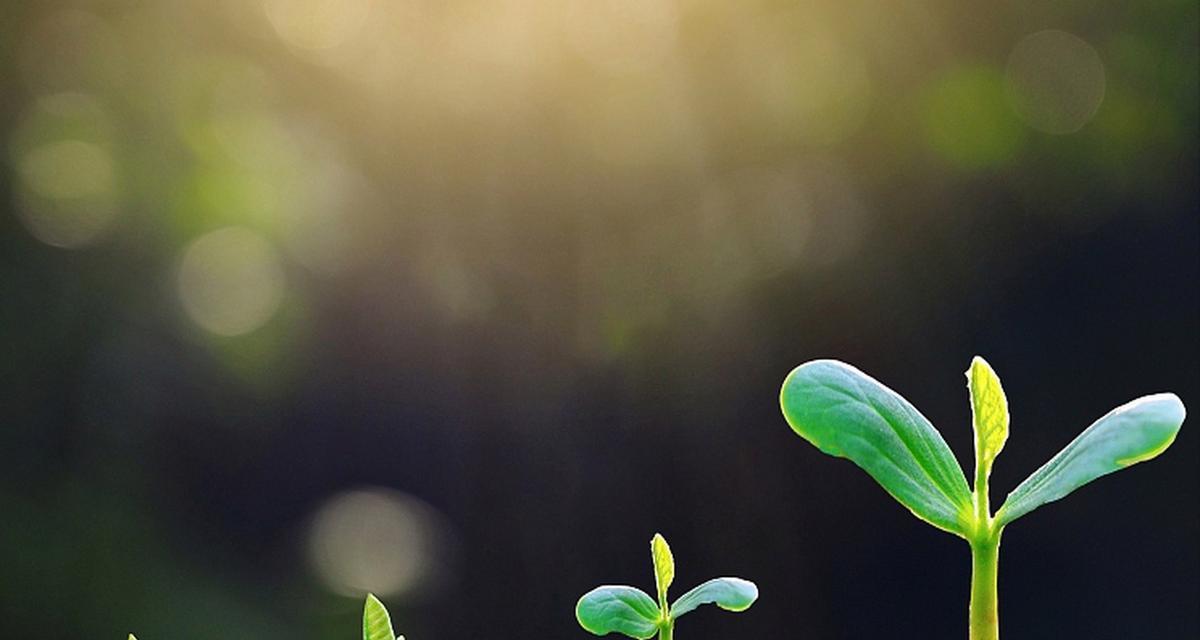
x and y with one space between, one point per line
231 282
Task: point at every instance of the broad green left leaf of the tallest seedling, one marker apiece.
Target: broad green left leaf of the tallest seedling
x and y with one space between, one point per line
847 414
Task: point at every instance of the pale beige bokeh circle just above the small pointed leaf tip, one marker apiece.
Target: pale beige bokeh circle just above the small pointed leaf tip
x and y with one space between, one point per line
376 541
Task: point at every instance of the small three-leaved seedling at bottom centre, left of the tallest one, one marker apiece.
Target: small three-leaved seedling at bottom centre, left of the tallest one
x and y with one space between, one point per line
631 612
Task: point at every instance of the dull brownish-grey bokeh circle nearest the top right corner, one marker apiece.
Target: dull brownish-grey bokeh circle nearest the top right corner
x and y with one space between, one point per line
1055 82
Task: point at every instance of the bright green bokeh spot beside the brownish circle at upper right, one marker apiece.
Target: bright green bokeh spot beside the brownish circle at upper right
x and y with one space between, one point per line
968 121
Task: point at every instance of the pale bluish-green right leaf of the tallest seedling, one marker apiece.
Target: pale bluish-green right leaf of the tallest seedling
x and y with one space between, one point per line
1127 435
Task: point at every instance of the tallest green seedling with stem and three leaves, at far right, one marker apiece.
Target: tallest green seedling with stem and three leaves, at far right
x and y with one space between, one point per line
847 414
